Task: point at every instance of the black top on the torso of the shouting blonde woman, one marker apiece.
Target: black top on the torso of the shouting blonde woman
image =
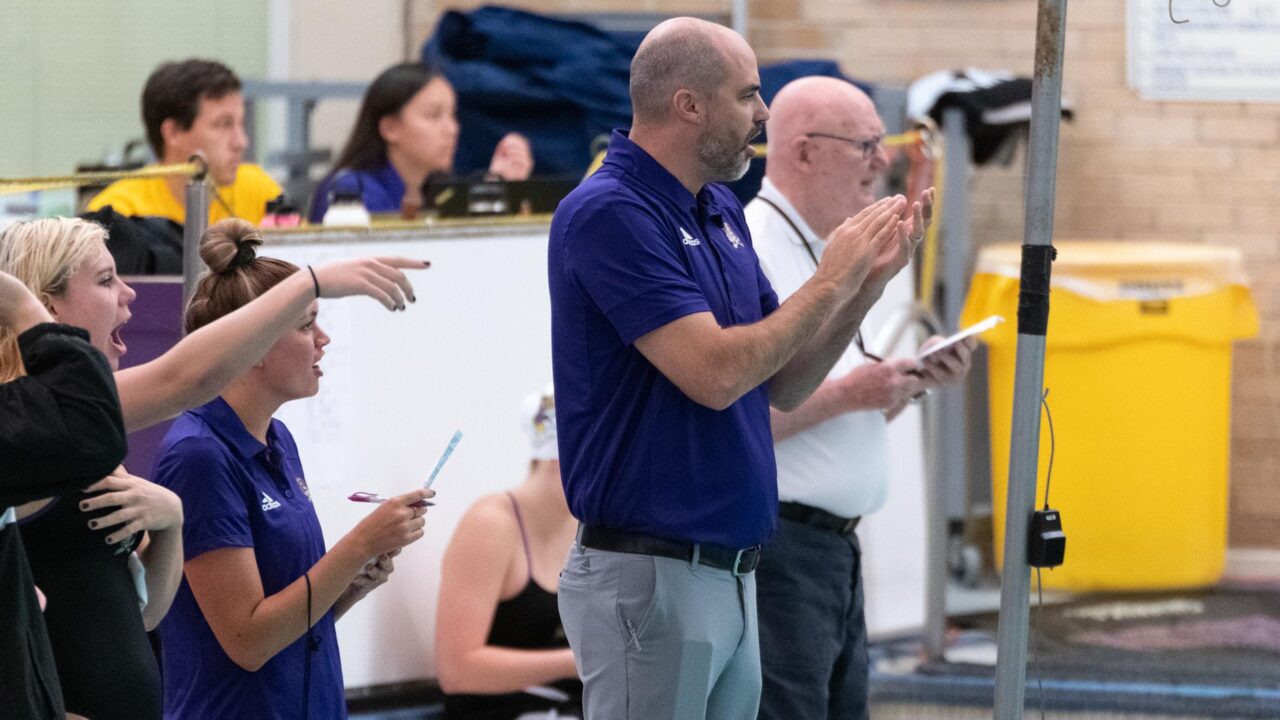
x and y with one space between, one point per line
106 664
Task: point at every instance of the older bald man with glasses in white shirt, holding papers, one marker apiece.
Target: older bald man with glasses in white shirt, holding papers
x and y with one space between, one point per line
825 165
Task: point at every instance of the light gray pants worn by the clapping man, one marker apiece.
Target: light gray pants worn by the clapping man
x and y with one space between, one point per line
657 639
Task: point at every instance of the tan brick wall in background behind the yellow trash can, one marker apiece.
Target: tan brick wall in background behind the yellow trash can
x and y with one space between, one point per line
1130 168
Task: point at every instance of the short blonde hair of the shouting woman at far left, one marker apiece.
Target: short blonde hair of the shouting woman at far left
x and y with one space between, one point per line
44 256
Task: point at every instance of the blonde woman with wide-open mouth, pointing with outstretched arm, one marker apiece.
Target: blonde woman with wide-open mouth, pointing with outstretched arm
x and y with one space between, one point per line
99 555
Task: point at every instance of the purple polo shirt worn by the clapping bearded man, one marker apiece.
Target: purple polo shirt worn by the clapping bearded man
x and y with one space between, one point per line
632 250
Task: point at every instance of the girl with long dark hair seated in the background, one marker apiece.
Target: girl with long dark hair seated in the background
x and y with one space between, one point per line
406 130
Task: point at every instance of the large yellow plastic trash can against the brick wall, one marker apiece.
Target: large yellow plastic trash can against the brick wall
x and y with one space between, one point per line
1139 366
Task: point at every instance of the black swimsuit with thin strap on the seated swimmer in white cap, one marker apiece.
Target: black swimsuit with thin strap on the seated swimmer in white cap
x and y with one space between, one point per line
531 621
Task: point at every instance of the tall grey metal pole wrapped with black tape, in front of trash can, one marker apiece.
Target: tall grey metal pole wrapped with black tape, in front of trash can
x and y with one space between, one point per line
1030 372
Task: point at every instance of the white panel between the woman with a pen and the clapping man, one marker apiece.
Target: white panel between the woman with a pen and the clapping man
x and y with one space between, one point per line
396 388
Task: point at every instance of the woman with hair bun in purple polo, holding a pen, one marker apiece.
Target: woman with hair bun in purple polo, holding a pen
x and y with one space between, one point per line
252 632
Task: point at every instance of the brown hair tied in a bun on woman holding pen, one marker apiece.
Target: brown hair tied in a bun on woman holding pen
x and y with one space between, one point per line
236 274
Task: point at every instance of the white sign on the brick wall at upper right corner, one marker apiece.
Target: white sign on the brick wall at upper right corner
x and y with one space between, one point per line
1224 51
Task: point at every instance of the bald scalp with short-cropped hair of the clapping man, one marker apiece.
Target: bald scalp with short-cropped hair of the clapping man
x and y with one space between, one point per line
680 53
